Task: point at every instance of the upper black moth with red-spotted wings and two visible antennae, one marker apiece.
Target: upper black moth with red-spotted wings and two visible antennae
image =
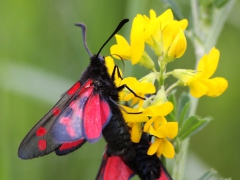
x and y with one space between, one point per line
85 112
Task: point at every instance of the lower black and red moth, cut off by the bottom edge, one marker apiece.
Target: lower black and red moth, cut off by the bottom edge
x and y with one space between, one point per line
145 166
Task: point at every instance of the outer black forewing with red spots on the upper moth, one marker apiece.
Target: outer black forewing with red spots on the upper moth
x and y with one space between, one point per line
39 141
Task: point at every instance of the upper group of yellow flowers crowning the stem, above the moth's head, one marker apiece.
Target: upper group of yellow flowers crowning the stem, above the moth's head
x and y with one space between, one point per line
163 34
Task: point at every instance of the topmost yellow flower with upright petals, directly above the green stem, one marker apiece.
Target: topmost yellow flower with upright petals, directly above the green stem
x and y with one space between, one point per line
166 35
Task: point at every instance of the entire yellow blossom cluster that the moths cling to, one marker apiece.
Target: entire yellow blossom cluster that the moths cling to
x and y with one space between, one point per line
165 36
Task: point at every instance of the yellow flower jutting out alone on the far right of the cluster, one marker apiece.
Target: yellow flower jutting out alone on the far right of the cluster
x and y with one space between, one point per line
199 83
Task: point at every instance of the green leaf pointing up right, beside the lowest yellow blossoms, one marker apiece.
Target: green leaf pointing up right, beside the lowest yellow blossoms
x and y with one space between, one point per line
192 125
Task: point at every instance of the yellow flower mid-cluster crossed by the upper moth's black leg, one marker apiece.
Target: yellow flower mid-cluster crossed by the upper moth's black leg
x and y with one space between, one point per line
140 88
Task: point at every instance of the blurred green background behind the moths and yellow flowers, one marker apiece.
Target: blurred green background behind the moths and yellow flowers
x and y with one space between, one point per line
42 55
